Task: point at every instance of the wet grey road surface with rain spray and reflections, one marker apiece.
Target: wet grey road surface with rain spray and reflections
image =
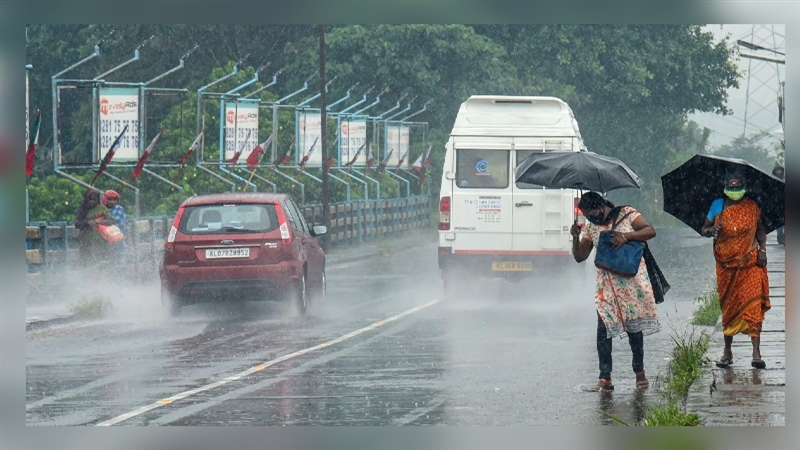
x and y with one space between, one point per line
383 350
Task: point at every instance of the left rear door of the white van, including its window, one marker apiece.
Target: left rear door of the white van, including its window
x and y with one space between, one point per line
481 208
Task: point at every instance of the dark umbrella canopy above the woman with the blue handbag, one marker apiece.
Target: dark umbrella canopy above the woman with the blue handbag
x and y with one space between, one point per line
576 170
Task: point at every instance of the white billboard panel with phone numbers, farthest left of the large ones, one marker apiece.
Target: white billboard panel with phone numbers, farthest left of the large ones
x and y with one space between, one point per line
119 107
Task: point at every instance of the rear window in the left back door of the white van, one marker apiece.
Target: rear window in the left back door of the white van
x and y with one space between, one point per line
482 169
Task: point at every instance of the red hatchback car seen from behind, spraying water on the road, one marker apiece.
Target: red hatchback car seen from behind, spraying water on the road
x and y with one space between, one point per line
242 247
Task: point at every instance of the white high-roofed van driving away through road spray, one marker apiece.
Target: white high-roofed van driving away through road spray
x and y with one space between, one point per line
489 225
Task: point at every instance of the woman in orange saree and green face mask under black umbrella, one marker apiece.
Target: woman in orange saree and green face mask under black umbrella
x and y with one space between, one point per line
741 260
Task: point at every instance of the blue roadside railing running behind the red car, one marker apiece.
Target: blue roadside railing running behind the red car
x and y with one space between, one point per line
52 247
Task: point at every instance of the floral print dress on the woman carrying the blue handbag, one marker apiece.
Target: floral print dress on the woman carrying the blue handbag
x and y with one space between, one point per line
625 304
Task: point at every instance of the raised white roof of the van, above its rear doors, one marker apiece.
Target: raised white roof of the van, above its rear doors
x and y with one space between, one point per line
503 115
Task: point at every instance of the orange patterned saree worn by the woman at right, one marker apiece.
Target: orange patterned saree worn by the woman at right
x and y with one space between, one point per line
742 285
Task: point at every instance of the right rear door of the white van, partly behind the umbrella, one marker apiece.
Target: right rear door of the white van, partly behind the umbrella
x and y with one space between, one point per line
542 217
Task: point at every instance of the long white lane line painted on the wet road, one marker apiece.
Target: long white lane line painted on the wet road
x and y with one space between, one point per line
257 368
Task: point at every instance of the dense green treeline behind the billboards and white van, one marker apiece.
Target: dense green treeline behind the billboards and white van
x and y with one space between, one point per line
631 86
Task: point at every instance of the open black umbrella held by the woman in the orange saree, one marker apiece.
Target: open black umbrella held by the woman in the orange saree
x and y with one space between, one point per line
690 189
